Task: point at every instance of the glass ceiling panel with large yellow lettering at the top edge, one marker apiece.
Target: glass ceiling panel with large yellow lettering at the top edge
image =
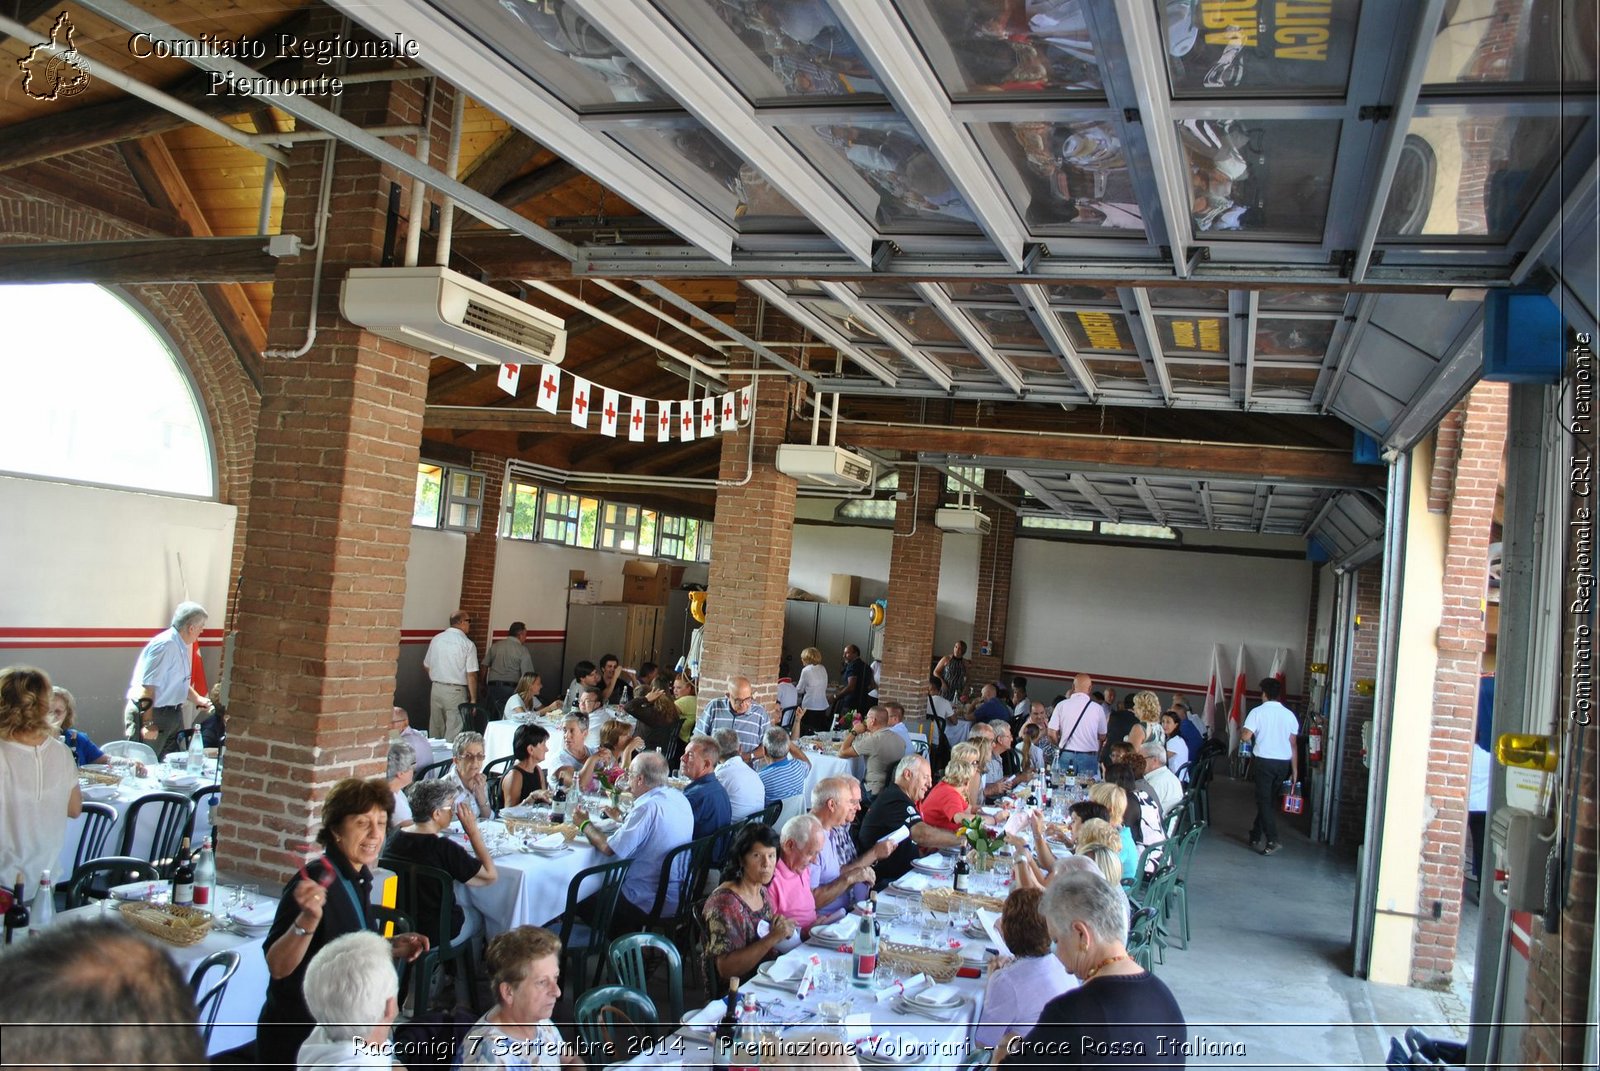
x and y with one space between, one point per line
1257 49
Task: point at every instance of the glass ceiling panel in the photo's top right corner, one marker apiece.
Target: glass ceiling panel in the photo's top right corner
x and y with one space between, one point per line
1513 44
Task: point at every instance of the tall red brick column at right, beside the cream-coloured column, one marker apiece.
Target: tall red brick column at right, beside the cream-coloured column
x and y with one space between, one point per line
1462 643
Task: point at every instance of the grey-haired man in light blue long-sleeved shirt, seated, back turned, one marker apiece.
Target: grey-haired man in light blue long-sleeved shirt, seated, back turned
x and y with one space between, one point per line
662 820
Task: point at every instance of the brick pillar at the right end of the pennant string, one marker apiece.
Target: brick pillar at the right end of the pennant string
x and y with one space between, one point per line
753 537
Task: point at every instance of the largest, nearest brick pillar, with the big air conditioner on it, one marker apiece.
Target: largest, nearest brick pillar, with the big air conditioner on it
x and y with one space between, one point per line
329 532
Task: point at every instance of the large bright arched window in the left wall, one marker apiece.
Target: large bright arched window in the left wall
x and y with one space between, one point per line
95 393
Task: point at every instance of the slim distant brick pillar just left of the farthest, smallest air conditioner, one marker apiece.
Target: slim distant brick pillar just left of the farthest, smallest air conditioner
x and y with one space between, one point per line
914 590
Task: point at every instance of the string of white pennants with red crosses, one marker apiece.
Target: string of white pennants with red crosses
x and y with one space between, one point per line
628 414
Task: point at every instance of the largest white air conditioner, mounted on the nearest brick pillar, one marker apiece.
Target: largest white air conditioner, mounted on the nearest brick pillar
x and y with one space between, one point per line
450 315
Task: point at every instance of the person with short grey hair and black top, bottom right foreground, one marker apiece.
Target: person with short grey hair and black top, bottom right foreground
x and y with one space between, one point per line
1122 1016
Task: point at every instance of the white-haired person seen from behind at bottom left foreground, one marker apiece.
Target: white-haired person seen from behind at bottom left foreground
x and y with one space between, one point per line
354 993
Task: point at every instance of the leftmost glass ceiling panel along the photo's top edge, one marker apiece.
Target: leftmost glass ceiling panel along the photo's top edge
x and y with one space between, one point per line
570 58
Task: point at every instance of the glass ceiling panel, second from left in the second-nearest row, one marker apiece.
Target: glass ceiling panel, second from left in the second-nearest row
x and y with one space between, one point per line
889 175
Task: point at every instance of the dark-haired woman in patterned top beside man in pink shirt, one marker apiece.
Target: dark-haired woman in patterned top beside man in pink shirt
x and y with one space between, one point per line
742 928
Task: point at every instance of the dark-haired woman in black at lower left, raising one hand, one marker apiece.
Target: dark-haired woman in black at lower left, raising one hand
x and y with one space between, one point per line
327 899
